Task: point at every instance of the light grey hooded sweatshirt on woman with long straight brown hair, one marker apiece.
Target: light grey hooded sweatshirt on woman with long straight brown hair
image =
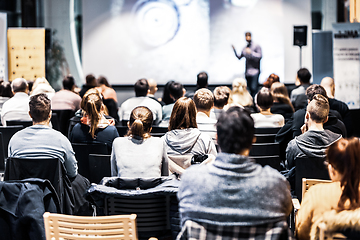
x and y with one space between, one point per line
182 144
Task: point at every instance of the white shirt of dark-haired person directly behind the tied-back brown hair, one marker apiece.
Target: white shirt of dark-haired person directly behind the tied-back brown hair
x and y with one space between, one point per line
131 103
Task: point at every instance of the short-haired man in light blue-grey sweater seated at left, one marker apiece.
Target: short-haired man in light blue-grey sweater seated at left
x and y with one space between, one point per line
41 141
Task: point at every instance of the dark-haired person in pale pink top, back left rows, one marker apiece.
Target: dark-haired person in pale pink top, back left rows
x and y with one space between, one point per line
66 99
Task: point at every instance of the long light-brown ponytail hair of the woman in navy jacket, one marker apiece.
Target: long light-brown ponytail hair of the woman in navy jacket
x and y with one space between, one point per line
92 104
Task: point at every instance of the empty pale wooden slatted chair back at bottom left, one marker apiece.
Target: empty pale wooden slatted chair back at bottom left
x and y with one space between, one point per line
59 226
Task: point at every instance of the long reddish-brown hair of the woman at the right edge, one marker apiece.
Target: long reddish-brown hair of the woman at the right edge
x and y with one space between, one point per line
344 157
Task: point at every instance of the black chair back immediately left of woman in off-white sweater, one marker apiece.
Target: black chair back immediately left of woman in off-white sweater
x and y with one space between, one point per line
99 167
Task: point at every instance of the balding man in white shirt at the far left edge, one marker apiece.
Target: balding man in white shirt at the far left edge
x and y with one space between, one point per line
17 107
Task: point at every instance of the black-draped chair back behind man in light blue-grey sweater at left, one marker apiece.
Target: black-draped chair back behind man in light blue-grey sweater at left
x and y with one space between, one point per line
51 169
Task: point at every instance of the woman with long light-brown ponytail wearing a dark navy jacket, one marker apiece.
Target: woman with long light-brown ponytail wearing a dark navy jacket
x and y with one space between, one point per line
94 127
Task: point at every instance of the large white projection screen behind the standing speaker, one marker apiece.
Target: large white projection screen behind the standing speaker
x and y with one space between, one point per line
125 40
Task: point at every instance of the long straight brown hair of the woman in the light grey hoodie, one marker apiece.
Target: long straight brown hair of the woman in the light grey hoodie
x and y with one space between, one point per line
183 114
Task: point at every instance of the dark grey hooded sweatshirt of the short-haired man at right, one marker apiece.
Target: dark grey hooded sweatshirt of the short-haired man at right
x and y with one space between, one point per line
310 144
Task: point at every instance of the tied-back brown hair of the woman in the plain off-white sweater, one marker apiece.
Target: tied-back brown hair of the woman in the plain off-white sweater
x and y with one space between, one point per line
140 123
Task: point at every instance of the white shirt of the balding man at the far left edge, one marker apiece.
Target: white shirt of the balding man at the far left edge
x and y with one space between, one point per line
16 108
